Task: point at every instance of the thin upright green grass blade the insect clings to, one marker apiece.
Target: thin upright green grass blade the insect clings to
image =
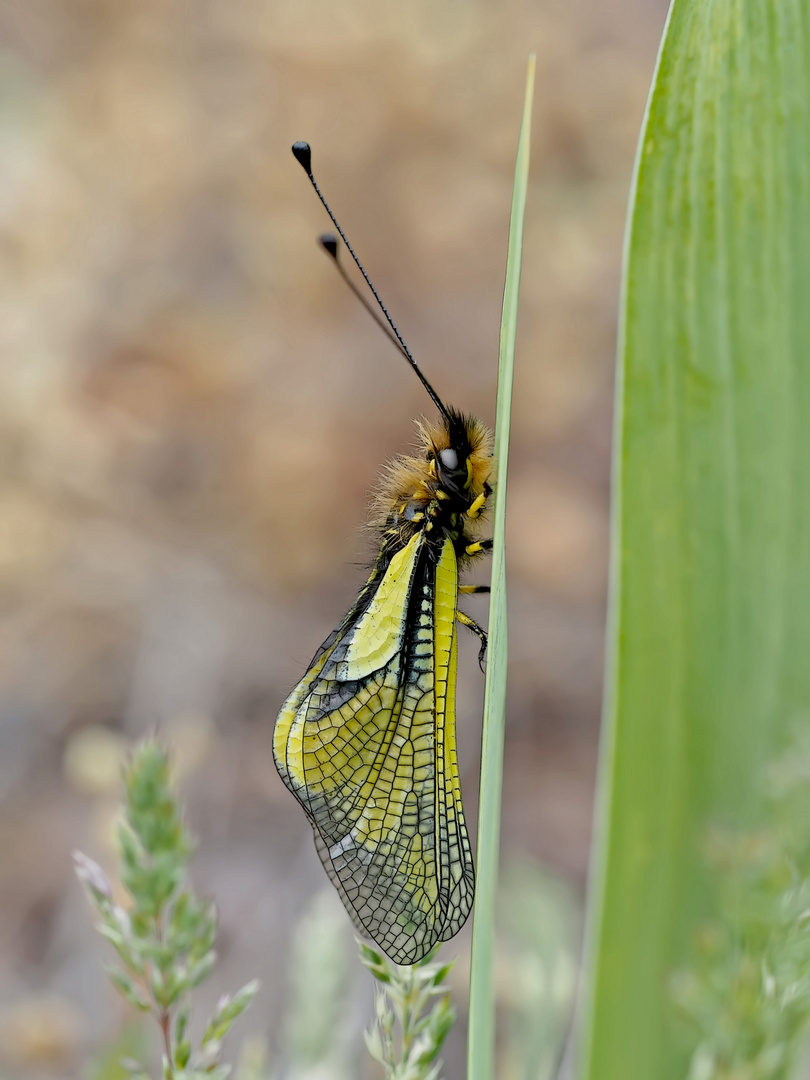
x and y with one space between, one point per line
481 1044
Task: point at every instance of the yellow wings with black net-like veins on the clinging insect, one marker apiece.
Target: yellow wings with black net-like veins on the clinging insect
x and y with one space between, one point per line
367 742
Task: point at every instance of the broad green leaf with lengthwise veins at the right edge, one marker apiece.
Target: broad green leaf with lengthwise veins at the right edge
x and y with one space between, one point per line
710 618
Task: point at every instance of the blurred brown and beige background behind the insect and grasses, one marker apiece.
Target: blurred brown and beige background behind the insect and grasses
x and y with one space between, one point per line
195 411
